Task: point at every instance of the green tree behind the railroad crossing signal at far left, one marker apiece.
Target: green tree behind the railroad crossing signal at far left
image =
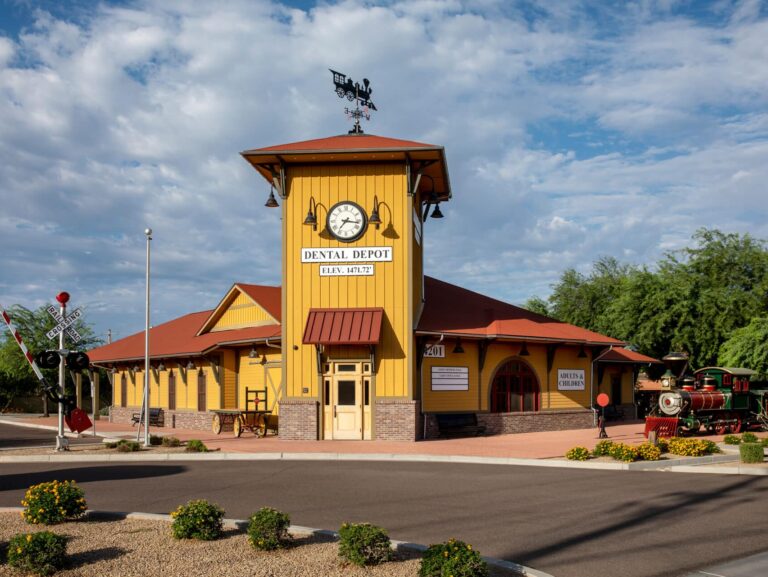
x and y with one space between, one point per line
16 376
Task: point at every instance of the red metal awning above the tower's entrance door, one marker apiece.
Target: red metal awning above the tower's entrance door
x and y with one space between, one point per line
361 326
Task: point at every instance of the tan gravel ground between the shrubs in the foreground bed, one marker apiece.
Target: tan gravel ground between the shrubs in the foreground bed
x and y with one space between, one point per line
142 548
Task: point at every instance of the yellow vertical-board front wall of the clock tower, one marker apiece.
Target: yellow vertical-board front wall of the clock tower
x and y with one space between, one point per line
304 288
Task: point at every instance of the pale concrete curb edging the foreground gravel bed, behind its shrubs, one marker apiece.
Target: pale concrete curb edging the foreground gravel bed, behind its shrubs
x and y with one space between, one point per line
242 524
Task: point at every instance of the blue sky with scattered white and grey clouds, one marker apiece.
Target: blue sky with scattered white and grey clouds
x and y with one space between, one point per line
573 130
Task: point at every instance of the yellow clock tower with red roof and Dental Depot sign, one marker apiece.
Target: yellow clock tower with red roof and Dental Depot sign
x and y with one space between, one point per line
353 215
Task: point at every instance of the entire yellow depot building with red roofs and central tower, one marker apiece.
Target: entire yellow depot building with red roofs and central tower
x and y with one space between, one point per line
358 343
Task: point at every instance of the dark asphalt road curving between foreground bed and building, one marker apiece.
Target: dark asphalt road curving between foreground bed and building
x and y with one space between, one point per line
570 523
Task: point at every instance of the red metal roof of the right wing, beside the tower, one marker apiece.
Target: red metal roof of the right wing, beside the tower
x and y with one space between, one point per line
450 309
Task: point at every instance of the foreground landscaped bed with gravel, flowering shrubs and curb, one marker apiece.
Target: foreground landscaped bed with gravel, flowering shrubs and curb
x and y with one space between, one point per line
54 534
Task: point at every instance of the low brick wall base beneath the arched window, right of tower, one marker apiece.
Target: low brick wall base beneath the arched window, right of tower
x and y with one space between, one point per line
509 423
